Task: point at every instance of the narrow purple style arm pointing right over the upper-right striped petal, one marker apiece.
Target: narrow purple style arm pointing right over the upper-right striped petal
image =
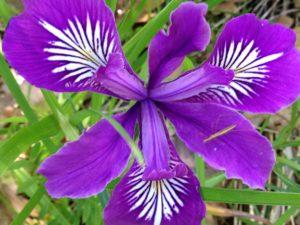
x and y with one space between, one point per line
191 83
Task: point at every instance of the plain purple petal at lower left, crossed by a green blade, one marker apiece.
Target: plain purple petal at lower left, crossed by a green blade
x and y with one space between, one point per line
84 167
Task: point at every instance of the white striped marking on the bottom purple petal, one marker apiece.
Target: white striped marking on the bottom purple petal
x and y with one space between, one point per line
155 199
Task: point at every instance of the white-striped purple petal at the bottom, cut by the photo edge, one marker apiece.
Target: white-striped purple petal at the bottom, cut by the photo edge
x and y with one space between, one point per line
174 201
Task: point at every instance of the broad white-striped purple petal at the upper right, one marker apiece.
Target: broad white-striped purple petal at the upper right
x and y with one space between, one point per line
265 62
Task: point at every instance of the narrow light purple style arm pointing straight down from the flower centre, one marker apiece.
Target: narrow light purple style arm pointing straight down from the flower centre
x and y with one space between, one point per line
155 145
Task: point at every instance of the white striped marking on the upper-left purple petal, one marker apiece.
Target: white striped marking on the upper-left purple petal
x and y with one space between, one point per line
80 50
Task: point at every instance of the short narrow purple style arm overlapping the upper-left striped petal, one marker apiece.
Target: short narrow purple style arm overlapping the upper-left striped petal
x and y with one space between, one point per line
119 81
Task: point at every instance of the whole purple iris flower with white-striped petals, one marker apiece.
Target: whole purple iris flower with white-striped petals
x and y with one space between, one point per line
73 45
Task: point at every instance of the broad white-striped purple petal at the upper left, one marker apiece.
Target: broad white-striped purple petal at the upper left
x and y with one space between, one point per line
60 44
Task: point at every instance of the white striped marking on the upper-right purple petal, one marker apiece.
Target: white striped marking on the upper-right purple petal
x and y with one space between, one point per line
251 69
